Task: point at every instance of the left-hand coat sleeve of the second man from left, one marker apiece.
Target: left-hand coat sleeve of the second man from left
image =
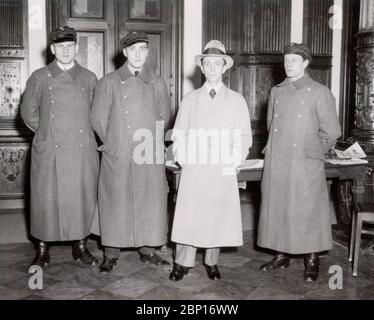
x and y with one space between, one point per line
101 106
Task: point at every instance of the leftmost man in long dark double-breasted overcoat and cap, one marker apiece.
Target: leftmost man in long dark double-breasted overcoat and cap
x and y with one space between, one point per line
64 160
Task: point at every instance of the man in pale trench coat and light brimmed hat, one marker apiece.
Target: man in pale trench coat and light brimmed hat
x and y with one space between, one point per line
215 120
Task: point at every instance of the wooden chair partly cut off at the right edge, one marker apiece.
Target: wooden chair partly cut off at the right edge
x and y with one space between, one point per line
363 214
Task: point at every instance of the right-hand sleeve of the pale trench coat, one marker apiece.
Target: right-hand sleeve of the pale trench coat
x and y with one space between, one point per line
243 123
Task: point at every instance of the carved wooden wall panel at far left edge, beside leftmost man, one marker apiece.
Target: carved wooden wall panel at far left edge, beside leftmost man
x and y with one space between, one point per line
14 137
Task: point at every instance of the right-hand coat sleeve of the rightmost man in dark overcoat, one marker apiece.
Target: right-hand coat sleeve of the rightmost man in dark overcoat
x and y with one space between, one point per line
329 126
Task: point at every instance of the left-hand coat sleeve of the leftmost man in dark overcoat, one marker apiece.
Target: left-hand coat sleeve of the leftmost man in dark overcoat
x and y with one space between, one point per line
31 101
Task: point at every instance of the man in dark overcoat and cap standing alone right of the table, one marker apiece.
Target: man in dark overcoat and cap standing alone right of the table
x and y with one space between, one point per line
303 125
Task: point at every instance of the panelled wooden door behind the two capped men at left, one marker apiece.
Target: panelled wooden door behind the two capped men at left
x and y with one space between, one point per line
100 25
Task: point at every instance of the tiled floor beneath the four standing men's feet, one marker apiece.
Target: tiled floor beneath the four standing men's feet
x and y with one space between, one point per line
131 279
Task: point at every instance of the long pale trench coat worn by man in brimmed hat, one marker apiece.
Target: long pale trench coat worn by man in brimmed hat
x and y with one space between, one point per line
207 211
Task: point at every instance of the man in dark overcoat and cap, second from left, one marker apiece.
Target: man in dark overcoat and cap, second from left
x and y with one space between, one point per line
130 104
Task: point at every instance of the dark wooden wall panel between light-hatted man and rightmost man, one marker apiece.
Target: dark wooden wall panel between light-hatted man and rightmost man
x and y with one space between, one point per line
254 33
